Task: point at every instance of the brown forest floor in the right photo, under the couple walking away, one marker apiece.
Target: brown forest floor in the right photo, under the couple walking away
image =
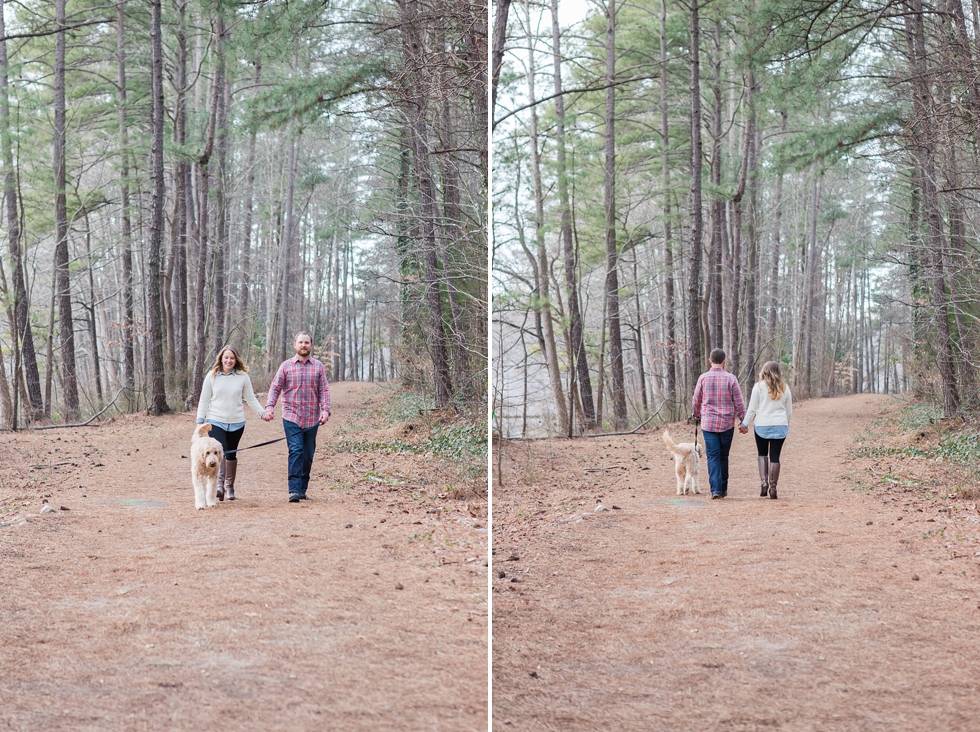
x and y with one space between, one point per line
850 603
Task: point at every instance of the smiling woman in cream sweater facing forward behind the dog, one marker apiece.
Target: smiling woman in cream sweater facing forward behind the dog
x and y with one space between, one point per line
226 387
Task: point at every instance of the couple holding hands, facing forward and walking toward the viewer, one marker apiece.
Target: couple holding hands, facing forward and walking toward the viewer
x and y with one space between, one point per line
302 383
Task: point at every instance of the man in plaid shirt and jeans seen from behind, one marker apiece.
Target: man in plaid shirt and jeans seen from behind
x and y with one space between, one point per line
718 405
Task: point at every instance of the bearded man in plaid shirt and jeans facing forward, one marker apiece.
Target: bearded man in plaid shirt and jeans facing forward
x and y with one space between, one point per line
302 381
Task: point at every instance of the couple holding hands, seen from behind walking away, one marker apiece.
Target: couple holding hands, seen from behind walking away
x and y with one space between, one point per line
718 402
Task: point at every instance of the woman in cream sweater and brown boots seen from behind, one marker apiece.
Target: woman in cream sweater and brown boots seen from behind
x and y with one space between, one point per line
771 404
